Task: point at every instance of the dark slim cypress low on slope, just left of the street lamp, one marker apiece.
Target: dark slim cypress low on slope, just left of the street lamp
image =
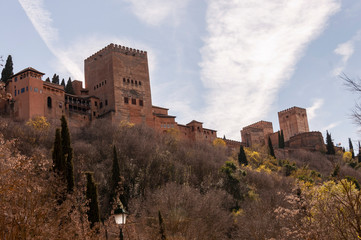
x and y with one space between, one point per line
92 197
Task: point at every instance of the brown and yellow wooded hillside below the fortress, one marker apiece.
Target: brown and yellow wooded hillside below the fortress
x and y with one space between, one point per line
173 189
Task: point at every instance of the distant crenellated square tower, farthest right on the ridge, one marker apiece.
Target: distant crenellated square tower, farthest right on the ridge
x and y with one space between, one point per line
293 121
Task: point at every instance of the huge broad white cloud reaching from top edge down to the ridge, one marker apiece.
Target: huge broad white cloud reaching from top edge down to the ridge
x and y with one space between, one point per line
251 50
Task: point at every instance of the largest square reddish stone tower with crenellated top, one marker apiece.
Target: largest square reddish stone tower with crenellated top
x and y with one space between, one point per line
119 77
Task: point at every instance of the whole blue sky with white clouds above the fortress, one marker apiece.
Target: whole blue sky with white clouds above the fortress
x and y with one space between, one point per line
226 63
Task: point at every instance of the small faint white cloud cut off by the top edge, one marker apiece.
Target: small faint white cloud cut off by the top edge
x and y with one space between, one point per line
155 12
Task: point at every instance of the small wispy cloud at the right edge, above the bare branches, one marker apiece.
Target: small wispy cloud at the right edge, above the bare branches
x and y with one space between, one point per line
345 50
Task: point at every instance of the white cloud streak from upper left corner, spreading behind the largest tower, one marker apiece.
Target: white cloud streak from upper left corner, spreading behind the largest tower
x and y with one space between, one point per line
70 60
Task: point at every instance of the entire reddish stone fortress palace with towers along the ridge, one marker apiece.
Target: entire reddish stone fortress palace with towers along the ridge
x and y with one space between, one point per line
117 88
